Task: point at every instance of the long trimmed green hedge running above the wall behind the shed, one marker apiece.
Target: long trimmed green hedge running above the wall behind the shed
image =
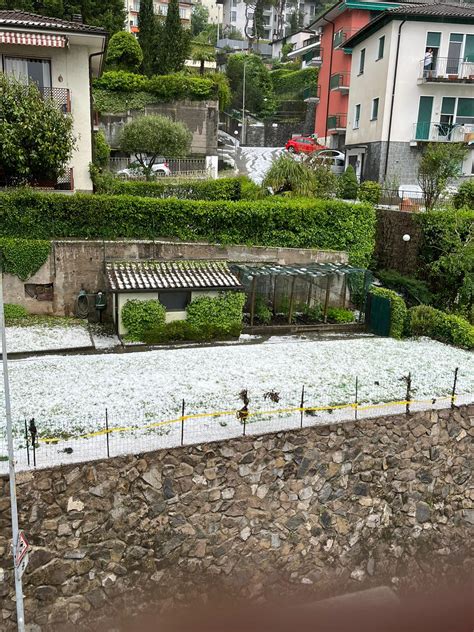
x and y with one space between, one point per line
296 223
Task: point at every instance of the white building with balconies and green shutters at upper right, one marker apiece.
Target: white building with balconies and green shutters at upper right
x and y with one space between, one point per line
412 82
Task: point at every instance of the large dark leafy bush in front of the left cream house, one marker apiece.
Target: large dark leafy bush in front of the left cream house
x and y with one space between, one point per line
36 139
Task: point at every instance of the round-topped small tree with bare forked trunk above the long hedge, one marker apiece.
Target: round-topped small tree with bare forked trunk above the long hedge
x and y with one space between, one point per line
149 137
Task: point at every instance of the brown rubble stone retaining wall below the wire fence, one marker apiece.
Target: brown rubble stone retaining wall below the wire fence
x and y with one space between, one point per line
327 508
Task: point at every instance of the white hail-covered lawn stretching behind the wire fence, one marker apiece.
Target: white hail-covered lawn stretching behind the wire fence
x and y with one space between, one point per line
67 396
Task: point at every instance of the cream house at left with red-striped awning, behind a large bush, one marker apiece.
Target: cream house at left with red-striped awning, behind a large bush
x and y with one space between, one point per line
59 57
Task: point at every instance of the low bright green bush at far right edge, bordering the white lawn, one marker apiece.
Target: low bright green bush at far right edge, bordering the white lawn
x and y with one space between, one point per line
434 323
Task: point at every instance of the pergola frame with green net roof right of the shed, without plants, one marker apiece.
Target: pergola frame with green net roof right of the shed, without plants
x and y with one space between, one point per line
302 281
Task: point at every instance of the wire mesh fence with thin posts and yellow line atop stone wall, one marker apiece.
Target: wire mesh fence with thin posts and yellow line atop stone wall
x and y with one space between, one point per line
250 412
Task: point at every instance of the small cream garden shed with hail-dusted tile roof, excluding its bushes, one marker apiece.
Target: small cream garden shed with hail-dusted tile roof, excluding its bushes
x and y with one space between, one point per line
174 283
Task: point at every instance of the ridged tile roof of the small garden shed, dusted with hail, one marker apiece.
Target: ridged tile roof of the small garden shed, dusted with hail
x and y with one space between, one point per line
129 276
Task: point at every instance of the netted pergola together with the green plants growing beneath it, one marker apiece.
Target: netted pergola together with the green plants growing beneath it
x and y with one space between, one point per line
304 292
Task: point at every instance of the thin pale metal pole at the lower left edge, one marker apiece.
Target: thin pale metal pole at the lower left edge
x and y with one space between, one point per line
20 613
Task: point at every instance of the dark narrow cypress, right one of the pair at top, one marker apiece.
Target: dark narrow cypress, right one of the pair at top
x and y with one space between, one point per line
174 44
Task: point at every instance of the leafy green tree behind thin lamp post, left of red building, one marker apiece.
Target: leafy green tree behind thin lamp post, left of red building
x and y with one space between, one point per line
259 95
